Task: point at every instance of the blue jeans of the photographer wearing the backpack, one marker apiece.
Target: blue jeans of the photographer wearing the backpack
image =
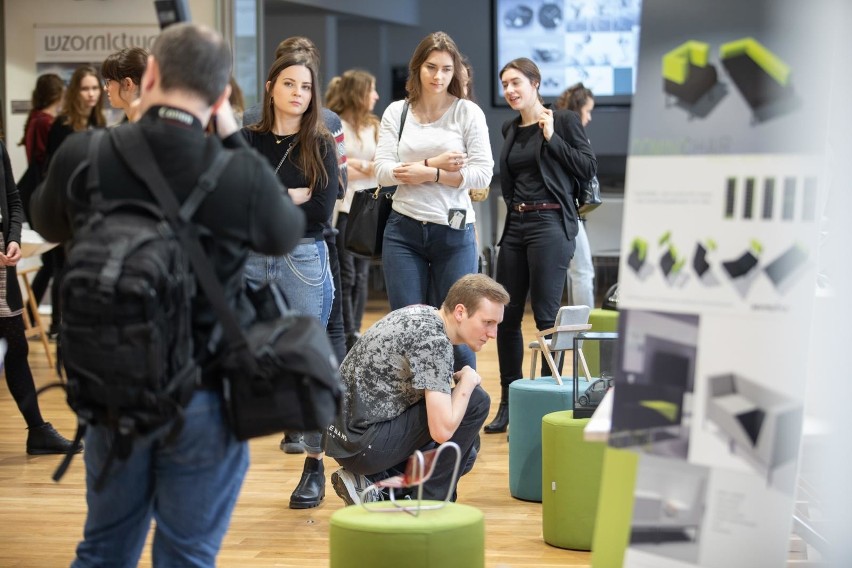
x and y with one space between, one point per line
189 487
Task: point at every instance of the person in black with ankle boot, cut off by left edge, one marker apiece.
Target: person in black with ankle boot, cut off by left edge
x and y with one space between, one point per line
42 438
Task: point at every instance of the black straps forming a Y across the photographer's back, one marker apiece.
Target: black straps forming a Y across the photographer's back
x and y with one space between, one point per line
131 142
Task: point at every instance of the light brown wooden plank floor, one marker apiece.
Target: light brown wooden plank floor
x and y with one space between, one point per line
41 521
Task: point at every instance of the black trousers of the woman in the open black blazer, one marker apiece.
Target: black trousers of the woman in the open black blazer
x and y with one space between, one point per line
533 259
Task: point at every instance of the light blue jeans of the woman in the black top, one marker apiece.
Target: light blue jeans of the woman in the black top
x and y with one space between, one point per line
301 280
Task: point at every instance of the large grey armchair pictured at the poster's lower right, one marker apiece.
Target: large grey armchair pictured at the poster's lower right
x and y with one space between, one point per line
760 424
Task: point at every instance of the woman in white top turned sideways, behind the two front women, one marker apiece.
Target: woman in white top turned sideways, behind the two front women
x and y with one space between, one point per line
353 96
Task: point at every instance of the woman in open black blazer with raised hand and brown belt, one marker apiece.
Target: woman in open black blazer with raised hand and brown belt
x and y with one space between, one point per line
544 153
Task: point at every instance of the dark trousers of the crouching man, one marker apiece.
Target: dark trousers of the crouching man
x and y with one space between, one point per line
399 438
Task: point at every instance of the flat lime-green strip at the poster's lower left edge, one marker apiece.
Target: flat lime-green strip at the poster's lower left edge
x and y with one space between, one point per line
615 508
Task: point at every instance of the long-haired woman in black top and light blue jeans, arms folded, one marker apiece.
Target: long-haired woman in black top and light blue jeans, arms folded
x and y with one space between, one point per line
292 136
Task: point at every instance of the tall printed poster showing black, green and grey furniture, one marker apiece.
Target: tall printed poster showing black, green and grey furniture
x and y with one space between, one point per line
723 204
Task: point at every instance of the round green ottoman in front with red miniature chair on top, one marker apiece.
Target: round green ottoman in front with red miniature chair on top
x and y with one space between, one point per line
453 536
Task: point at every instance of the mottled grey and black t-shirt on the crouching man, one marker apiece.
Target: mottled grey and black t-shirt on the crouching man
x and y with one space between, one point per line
387 371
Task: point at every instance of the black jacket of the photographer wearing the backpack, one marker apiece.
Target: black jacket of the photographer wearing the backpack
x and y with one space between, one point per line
249 210
